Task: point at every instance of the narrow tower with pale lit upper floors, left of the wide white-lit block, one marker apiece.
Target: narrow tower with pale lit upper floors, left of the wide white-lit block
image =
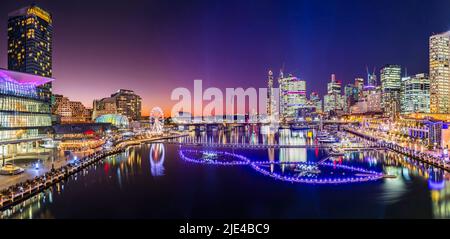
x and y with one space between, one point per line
390 76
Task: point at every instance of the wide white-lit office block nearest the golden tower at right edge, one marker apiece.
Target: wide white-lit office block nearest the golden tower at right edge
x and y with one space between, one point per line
415 94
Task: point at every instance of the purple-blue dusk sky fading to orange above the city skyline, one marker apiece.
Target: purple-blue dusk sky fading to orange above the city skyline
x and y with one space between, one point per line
153 47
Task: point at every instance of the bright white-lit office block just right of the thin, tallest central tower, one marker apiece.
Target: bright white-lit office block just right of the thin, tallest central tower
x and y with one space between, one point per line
292 97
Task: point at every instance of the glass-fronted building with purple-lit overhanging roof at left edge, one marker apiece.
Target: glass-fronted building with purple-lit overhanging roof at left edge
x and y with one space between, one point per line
25 116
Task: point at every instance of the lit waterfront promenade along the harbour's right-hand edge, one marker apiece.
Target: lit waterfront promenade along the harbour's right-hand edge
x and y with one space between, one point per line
421 156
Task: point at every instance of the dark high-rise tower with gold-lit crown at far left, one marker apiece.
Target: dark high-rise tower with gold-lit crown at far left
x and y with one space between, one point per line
30 33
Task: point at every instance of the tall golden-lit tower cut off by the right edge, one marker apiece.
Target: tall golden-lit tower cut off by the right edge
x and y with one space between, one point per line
440 73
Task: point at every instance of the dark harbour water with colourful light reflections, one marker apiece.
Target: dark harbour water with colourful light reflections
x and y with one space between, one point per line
154 181
